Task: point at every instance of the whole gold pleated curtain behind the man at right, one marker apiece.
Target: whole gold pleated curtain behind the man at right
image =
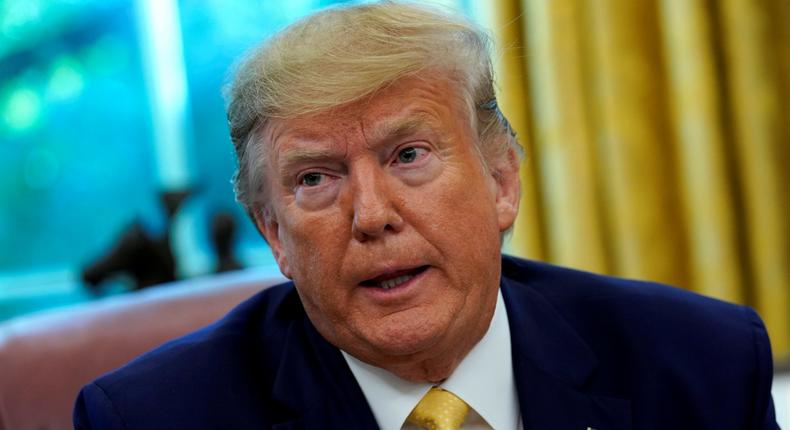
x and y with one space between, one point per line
657 135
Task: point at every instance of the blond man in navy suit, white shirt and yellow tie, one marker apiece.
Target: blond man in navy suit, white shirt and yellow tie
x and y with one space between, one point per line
373 159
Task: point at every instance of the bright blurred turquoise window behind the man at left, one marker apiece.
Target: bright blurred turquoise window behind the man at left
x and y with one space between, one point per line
104 106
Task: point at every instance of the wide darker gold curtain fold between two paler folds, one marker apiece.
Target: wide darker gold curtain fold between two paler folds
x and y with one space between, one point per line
636 168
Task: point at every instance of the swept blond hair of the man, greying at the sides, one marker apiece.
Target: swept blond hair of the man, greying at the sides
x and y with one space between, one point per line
341 54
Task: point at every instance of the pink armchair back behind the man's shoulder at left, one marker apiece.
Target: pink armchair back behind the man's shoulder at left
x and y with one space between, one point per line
46 358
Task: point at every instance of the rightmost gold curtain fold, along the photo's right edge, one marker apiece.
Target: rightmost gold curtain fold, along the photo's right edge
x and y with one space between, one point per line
760 131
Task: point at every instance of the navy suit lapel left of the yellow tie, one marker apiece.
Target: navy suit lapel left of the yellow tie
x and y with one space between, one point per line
315 383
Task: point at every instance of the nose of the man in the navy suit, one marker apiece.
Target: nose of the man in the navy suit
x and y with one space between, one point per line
375 211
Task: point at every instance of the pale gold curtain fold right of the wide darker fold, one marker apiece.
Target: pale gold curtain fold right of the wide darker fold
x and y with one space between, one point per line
700 142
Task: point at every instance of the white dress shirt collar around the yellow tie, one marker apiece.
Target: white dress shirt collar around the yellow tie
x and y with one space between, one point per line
484 380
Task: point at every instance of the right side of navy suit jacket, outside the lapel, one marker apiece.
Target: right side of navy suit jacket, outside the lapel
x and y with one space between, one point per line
661 345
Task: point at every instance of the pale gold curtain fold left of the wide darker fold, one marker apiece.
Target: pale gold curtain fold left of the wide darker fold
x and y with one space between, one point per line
563 142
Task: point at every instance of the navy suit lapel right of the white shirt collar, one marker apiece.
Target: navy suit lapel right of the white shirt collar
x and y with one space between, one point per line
551 365
